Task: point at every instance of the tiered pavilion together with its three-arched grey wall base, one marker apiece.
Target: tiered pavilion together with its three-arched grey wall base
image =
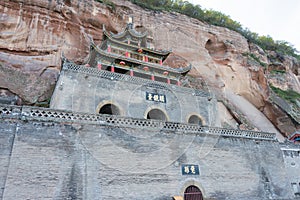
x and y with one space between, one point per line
124 77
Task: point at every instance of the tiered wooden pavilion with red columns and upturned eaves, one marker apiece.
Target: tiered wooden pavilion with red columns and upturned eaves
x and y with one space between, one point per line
127 53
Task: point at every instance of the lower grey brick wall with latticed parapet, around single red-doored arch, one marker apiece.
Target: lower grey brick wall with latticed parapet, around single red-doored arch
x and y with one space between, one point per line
50 154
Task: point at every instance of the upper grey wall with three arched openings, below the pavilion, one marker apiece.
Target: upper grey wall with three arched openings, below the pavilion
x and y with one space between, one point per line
84 89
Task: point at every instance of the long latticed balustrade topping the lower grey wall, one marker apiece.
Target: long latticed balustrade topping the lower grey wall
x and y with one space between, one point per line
49 115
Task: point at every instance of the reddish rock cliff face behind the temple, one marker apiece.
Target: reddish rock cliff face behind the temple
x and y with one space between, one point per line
33 35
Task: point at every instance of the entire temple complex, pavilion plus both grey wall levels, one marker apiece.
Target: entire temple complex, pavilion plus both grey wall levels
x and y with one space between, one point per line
123 125
